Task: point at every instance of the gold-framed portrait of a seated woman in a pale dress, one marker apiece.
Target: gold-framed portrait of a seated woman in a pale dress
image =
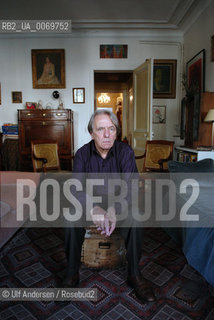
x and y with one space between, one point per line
48 68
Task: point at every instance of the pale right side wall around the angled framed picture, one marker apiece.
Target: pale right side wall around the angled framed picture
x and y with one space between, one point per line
198 37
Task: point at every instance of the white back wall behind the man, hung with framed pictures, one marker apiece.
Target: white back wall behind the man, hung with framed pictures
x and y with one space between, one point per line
82 58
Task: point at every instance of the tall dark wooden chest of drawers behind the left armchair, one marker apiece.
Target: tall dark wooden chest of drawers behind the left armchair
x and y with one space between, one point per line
46 124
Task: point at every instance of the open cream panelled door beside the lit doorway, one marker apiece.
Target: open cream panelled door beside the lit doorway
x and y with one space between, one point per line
142 108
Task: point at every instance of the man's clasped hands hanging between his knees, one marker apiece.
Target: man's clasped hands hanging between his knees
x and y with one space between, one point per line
105 221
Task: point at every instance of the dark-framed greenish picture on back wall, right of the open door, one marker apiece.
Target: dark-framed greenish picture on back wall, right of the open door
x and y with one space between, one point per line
164 78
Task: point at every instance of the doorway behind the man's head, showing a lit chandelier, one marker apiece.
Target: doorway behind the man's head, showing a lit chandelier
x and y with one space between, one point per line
111 91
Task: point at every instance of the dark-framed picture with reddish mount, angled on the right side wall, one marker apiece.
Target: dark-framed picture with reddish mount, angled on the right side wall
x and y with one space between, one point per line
195 71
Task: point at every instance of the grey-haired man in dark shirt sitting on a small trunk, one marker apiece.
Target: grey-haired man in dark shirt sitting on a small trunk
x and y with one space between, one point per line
104 154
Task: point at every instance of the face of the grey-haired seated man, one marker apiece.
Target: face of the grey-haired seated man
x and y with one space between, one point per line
104 132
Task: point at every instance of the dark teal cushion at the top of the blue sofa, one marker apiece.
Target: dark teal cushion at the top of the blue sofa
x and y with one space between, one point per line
205 165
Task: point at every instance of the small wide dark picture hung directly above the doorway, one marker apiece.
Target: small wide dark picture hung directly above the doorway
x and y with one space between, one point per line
113 51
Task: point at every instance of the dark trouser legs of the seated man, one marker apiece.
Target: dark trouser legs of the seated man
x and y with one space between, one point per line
74 238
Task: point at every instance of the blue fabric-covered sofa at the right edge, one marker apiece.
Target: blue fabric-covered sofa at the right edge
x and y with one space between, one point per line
196 237
